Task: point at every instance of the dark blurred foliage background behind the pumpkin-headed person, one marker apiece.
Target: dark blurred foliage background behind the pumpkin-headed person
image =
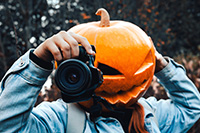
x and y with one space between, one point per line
173 25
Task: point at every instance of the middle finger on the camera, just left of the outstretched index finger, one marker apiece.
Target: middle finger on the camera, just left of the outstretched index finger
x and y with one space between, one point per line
73 44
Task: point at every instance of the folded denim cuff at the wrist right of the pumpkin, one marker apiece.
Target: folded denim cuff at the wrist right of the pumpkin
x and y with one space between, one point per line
169 71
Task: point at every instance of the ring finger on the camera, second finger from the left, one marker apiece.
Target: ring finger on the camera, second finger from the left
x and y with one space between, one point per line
63 46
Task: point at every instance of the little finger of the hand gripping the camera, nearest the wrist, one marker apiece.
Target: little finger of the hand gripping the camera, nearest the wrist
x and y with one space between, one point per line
54 50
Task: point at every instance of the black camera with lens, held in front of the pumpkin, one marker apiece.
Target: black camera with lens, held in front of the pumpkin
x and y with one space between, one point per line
78 78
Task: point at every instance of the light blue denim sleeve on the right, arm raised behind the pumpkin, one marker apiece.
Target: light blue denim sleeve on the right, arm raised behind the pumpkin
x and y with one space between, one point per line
182 110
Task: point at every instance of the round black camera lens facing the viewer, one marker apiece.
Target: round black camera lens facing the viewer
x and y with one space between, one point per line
73 77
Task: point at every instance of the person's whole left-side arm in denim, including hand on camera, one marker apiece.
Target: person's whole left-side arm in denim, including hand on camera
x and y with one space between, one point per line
23 81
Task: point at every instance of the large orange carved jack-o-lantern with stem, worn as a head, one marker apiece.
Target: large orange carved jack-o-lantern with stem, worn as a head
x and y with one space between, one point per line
124 53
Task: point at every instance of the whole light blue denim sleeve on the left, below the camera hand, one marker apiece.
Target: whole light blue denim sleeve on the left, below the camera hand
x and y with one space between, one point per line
18 94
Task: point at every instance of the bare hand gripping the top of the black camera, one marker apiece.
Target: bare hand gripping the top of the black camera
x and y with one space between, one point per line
62 46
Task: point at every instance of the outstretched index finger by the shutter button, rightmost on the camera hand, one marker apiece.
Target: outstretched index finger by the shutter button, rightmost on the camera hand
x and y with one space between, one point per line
84 42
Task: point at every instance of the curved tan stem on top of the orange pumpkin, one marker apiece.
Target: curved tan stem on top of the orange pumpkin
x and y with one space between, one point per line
105 18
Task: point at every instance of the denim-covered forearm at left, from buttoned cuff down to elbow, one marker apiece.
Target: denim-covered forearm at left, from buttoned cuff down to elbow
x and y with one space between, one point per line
19 90
